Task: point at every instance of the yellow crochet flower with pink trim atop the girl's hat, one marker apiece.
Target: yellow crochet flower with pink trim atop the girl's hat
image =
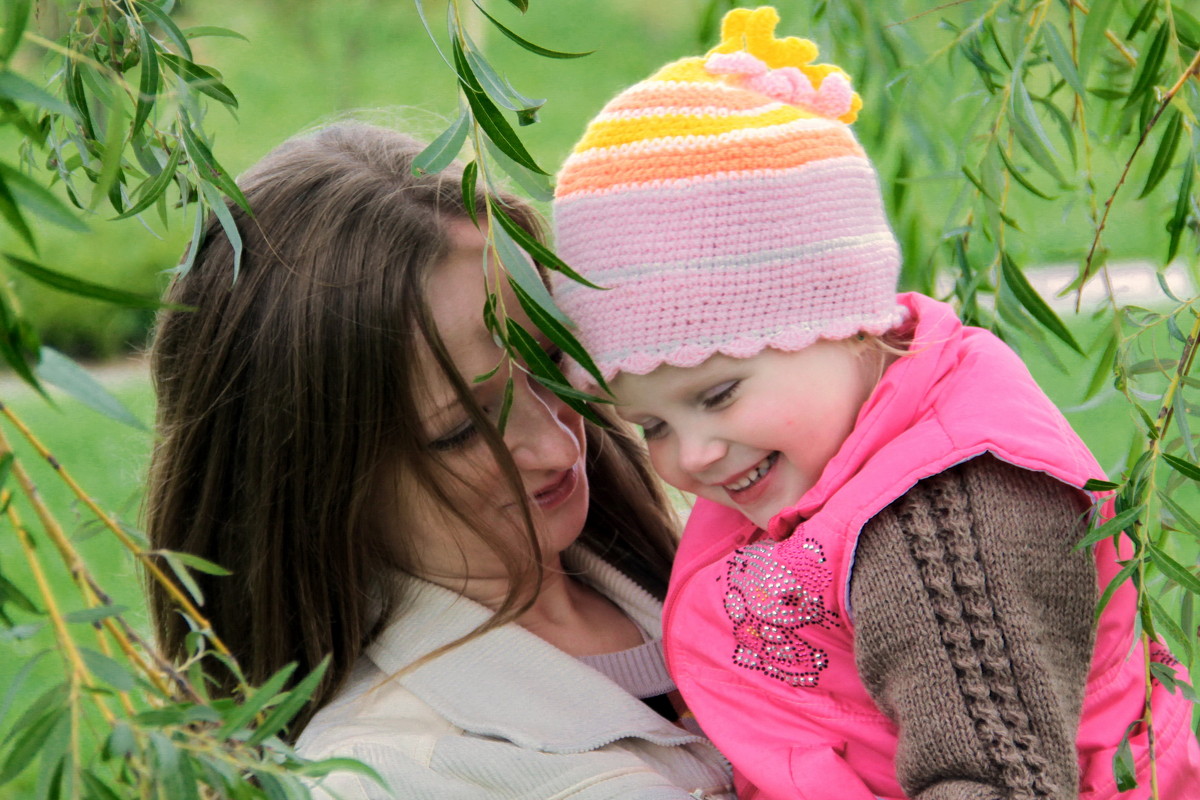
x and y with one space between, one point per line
781 68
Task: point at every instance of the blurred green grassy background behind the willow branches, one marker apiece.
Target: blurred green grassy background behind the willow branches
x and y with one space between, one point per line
308 63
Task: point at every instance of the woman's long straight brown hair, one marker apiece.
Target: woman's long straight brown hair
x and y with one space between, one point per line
291 387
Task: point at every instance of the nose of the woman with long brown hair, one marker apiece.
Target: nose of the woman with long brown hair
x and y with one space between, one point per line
542 431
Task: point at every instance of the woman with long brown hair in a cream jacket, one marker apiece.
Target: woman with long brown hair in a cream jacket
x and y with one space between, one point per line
490 603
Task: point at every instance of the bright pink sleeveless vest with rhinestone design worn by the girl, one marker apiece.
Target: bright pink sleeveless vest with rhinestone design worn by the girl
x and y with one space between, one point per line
759 635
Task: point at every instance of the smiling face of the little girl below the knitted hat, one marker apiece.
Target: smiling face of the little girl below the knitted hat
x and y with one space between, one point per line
753 435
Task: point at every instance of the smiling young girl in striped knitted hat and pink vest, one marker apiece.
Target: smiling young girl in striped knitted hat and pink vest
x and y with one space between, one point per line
878 594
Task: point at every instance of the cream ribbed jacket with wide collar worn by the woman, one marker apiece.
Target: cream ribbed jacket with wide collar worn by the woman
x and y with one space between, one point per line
506 715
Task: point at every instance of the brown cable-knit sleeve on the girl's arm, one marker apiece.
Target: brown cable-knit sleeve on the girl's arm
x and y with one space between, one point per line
974 631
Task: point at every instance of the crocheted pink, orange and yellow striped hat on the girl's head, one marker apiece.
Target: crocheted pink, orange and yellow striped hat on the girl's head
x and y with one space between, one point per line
727 208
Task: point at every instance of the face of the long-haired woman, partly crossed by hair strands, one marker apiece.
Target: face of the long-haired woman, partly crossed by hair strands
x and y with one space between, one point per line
544 437
